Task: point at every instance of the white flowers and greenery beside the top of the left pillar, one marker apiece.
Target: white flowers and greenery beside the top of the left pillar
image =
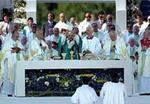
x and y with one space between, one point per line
19 11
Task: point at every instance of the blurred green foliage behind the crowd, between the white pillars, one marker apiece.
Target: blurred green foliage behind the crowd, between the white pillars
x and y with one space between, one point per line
72 9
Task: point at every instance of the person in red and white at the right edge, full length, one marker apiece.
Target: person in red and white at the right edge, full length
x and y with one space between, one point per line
143 67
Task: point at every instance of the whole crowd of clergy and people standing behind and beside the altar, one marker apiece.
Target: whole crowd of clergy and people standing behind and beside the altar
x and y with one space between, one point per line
89 39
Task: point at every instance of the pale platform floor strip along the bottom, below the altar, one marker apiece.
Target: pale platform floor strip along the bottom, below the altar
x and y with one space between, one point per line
63 100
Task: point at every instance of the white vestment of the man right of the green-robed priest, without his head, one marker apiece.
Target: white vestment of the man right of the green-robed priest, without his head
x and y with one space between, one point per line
93 45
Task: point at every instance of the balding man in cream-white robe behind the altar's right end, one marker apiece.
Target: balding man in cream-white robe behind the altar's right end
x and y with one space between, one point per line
114 48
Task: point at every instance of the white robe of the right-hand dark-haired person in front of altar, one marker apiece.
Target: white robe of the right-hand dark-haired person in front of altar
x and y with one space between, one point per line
113 93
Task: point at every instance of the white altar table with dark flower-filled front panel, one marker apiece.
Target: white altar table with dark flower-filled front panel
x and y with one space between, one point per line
61 77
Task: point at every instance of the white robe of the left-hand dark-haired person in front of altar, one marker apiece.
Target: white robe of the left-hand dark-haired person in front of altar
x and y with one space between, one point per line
84 95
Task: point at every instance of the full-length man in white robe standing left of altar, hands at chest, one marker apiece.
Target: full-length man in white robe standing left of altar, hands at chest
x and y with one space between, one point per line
11 51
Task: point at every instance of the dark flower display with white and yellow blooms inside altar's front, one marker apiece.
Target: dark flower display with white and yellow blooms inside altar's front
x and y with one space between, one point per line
62 82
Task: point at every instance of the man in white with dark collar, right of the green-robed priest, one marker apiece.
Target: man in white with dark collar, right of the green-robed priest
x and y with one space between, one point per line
91 43
